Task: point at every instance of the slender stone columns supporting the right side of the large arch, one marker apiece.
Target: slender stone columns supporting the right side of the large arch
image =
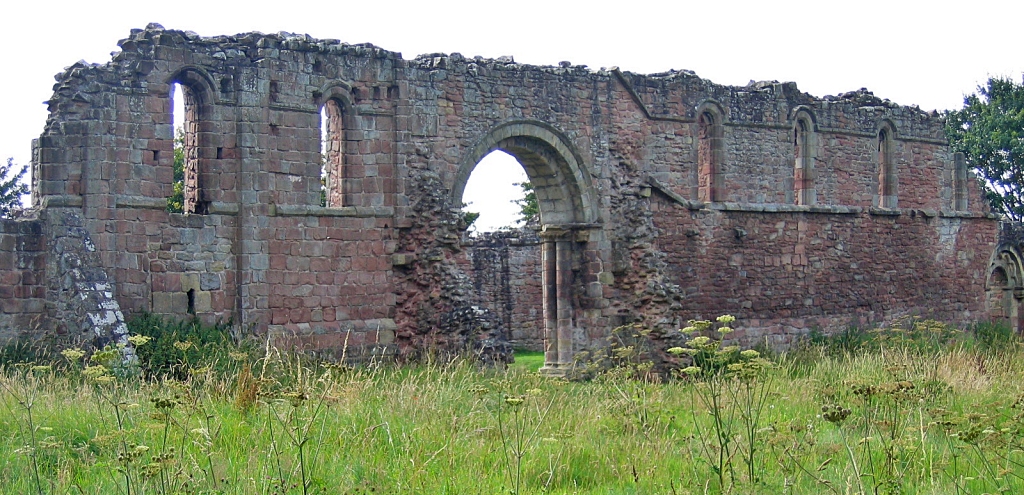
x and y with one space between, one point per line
558 260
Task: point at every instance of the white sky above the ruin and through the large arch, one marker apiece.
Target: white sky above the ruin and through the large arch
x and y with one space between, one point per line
929 54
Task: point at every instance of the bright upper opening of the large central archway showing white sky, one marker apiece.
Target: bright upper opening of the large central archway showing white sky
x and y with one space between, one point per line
499 194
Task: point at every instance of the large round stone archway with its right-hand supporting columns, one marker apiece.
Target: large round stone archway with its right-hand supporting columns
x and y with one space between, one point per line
568 205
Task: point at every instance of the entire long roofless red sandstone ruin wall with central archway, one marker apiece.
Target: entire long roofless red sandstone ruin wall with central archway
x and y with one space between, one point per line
663 197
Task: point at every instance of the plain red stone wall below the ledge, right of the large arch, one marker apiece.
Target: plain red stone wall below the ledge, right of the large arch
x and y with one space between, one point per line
784 273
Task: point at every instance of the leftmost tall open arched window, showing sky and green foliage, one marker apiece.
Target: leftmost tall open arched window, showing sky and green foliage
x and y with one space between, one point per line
187 194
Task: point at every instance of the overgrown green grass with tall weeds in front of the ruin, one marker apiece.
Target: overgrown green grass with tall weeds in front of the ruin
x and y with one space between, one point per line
890 419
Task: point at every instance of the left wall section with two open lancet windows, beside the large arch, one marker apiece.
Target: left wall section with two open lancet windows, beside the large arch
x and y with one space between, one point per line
260 251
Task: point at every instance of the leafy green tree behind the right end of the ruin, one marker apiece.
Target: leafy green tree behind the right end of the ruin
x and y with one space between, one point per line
990 132
